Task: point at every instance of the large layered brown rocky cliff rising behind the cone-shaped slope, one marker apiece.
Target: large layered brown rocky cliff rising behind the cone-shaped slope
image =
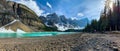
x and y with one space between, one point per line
10 11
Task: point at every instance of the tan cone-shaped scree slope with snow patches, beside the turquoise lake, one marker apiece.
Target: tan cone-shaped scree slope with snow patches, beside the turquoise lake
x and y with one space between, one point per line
15 25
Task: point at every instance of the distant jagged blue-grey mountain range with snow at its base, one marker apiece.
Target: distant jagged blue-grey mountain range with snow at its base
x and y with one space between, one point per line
63 23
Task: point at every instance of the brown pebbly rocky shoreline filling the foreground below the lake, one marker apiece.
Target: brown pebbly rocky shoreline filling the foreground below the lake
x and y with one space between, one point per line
72 42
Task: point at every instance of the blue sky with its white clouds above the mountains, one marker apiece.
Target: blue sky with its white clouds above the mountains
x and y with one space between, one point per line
76 9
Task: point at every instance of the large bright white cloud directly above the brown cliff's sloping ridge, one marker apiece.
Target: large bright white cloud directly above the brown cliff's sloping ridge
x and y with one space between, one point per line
32 5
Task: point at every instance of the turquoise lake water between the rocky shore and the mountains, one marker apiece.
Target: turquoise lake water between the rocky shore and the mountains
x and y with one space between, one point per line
33 34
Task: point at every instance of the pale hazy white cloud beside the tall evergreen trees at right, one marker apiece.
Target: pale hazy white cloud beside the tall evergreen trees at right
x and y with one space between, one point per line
93 12
